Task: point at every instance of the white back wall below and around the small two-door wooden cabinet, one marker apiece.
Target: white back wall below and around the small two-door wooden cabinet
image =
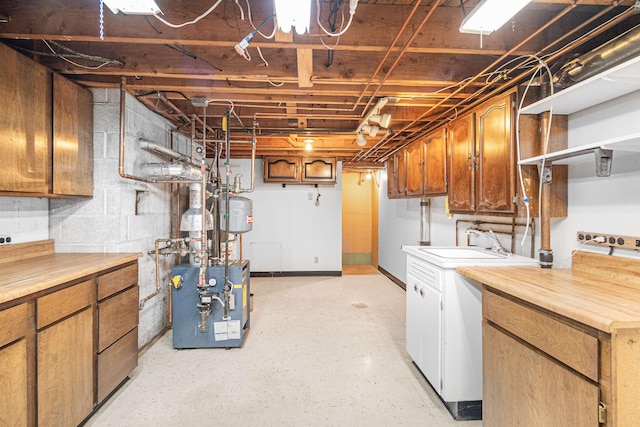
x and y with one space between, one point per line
290 233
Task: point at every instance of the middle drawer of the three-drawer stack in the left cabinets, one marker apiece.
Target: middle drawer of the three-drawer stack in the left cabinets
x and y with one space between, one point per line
116 317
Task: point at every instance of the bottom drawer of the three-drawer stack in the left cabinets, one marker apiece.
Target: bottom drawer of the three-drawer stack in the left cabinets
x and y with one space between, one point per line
116 362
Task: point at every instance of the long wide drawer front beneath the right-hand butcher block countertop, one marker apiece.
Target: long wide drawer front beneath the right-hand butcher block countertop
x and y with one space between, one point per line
565 343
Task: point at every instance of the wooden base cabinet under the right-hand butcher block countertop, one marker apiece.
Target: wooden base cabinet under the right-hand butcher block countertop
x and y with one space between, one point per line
542 369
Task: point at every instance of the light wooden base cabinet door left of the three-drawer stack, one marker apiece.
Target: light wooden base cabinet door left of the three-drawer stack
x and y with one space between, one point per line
65 371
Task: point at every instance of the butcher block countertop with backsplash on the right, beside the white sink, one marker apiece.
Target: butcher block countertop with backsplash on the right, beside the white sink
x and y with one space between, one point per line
599 291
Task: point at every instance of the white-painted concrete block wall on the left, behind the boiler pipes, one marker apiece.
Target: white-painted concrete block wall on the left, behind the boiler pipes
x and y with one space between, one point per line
111 221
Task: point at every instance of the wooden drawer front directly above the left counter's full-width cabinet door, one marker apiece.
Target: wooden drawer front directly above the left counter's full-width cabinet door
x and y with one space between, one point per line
55 306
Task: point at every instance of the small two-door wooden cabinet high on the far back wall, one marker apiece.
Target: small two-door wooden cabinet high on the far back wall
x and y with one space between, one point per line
300 170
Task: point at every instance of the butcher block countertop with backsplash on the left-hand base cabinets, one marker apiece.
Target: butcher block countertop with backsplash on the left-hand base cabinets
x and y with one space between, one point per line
31 268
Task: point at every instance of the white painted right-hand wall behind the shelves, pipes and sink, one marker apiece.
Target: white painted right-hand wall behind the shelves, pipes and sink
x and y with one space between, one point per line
605 205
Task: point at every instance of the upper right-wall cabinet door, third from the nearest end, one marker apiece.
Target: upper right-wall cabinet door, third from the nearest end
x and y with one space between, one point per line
435 164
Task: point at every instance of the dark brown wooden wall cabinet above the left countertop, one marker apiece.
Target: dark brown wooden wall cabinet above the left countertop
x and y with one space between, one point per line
47 127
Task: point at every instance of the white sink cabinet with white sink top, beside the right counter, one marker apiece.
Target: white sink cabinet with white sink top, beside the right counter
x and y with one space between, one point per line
444 322
